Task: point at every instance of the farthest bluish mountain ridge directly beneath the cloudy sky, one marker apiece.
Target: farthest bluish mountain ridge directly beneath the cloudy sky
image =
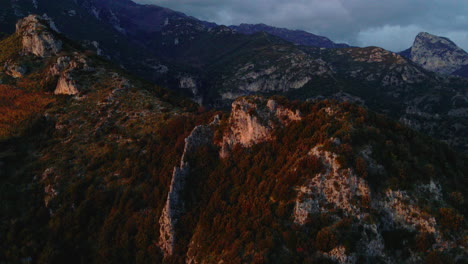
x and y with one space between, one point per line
298 37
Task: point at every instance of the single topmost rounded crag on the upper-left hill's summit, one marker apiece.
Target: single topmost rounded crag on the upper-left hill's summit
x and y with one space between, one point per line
38 36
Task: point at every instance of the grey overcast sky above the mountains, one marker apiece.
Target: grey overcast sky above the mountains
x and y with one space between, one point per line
391 24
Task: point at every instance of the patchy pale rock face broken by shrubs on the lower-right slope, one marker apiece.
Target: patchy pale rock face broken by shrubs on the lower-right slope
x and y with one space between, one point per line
337 188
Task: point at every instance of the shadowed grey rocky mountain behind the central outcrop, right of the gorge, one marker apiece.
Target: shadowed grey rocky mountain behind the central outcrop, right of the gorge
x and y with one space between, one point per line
381 80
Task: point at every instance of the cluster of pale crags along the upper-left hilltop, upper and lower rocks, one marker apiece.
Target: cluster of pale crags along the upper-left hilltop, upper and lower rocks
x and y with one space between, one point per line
39 40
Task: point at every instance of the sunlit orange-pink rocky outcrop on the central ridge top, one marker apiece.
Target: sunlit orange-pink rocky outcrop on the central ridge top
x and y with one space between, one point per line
253 120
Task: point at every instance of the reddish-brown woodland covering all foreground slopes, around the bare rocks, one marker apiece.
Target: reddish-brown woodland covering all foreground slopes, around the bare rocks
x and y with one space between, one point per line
84 178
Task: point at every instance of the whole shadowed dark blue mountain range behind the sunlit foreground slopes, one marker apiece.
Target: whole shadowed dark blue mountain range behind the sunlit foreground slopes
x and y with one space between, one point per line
215 64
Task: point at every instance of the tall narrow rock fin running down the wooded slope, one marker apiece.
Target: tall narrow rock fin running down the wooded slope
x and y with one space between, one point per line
175 207
